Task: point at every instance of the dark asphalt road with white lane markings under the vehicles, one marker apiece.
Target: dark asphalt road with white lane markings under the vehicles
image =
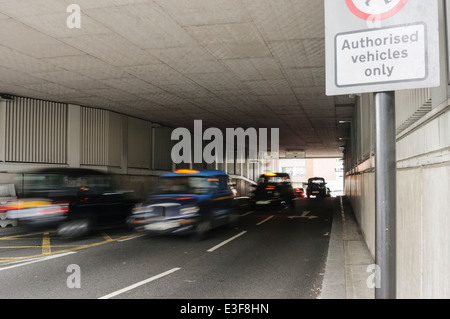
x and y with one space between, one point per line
265 255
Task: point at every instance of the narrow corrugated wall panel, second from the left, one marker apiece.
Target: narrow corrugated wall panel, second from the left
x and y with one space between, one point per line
94 136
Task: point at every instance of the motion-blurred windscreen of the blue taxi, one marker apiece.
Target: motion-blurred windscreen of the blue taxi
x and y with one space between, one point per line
186 185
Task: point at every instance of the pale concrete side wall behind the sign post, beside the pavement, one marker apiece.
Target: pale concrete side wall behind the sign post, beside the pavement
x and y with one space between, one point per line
423 206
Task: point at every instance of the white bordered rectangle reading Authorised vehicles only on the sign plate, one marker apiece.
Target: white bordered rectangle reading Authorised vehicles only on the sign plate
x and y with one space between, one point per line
384 55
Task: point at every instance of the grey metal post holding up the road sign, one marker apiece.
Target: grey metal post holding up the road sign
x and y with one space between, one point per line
385 199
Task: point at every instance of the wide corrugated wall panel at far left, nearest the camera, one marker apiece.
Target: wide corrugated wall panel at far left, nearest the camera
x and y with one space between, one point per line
36 131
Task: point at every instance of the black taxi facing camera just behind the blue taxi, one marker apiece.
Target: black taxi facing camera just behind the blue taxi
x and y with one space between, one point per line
272 190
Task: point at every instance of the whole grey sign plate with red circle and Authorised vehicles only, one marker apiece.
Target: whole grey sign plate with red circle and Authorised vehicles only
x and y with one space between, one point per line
381 45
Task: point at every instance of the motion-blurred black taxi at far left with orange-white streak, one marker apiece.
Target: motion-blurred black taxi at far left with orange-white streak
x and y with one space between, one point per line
74 200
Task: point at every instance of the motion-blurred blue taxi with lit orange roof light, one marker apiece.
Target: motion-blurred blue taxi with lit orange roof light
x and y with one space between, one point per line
186 201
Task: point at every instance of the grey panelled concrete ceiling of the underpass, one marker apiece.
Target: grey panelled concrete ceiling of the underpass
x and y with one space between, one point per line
230 63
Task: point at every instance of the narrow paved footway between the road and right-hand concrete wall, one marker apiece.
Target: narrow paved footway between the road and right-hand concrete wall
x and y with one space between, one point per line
348 269
